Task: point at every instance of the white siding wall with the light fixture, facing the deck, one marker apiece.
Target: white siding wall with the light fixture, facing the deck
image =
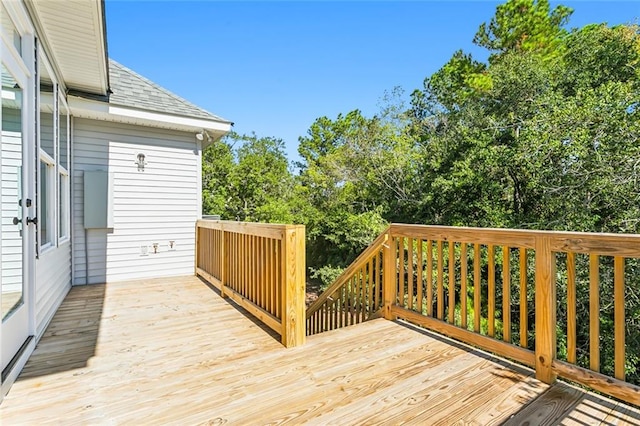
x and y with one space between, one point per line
157 205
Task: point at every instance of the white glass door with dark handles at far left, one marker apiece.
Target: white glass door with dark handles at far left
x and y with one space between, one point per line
16 226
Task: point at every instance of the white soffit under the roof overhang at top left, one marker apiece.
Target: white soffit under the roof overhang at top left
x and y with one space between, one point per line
74 35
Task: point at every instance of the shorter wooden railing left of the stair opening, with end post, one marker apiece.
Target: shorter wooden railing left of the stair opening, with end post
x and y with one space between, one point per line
261 267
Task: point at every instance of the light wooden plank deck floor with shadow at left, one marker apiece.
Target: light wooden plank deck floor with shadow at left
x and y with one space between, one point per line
171 351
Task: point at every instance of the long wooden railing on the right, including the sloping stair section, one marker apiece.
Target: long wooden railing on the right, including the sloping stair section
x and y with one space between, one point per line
498 289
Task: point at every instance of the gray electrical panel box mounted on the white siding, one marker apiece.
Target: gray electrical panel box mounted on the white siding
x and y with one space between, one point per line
98 200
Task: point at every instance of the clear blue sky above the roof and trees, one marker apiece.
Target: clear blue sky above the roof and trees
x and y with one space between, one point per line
274 67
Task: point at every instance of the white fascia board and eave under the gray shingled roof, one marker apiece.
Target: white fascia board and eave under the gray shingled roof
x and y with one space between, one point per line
86 108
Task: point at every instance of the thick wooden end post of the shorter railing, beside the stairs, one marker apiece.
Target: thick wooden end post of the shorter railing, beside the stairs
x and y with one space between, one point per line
293 286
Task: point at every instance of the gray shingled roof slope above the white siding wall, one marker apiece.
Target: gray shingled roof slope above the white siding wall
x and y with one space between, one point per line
130 89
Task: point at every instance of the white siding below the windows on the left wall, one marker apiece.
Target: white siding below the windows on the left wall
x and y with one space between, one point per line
53 281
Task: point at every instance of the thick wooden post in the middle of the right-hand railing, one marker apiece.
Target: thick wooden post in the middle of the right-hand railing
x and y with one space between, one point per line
545 308
